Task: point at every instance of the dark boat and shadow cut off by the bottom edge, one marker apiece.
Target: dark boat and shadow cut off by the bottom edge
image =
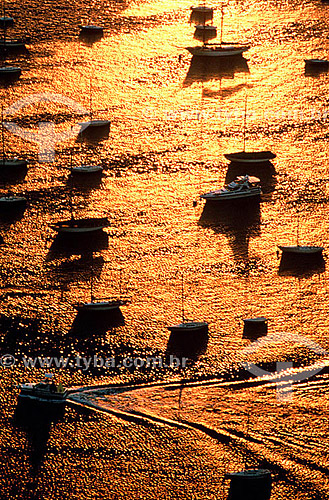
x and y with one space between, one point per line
250 484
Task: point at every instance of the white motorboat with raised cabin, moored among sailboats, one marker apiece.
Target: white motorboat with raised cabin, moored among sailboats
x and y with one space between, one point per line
242 187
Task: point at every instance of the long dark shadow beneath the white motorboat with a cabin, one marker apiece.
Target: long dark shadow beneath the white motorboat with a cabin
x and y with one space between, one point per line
238 220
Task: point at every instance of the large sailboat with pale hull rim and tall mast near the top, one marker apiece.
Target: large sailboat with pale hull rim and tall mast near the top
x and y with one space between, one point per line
223 49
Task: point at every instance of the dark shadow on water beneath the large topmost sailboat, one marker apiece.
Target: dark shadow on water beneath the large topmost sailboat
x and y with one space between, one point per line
203 69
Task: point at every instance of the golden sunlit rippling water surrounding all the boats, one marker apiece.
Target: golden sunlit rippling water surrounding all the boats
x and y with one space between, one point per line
172 121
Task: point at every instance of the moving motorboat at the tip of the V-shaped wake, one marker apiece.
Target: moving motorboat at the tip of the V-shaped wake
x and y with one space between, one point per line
45 391
